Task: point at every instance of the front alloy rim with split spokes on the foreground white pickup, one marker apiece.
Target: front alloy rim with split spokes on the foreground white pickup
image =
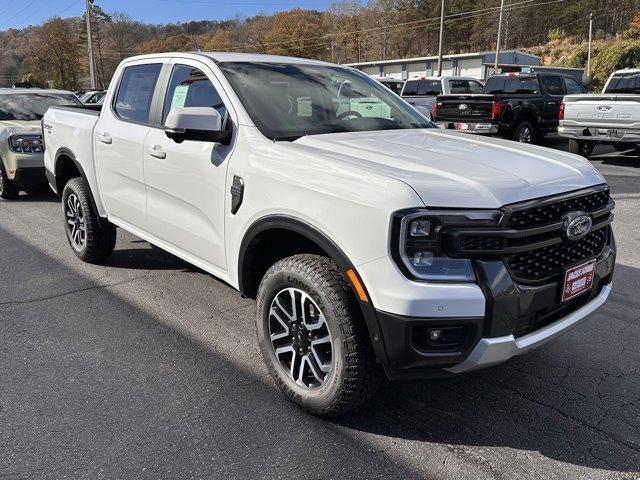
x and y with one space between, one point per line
300 338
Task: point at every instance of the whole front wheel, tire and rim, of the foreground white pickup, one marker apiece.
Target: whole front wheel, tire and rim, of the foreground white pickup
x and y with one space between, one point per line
312 337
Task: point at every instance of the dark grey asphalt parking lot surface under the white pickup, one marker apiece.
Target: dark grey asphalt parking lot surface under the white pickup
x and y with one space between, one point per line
148 368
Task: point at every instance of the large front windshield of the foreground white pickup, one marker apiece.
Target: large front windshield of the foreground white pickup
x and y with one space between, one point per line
288 101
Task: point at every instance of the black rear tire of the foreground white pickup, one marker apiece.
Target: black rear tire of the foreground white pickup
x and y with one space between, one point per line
99 235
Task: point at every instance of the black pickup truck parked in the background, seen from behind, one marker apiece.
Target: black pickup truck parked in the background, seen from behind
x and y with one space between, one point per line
520 107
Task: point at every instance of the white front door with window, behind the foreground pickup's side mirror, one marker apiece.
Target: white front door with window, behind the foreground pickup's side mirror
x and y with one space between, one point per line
186 182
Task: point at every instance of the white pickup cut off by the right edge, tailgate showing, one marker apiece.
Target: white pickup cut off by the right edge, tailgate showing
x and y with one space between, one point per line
611 117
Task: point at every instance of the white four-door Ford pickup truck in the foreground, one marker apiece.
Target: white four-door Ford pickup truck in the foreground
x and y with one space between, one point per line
376 243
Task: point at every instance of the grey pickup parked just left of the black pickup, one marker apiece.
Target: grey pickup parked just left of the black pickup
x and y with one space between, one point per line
422 92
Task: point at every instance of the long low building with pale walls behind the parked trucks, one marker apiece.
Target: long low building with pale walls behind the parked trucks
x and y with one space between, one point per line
478 65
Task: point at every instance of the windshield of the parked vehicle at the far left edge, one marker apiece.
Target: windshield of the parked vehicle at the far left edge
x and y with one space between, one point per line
31 106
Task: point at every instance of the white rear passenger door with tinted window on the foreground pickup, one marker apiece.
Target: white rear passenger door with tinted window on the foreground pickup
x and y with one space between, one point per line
119 138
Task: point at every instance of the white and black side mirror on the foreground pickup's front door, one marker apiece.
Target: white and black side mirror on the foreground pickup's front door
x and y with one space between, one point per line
202 124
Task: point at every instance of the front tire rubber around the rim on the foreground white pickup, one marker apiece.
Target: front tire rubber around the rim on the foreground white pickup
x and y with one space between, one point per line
354 375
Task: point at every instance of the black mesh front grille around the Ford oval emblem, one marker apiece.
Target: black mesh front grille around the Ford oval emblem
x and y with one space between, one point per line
530 238
